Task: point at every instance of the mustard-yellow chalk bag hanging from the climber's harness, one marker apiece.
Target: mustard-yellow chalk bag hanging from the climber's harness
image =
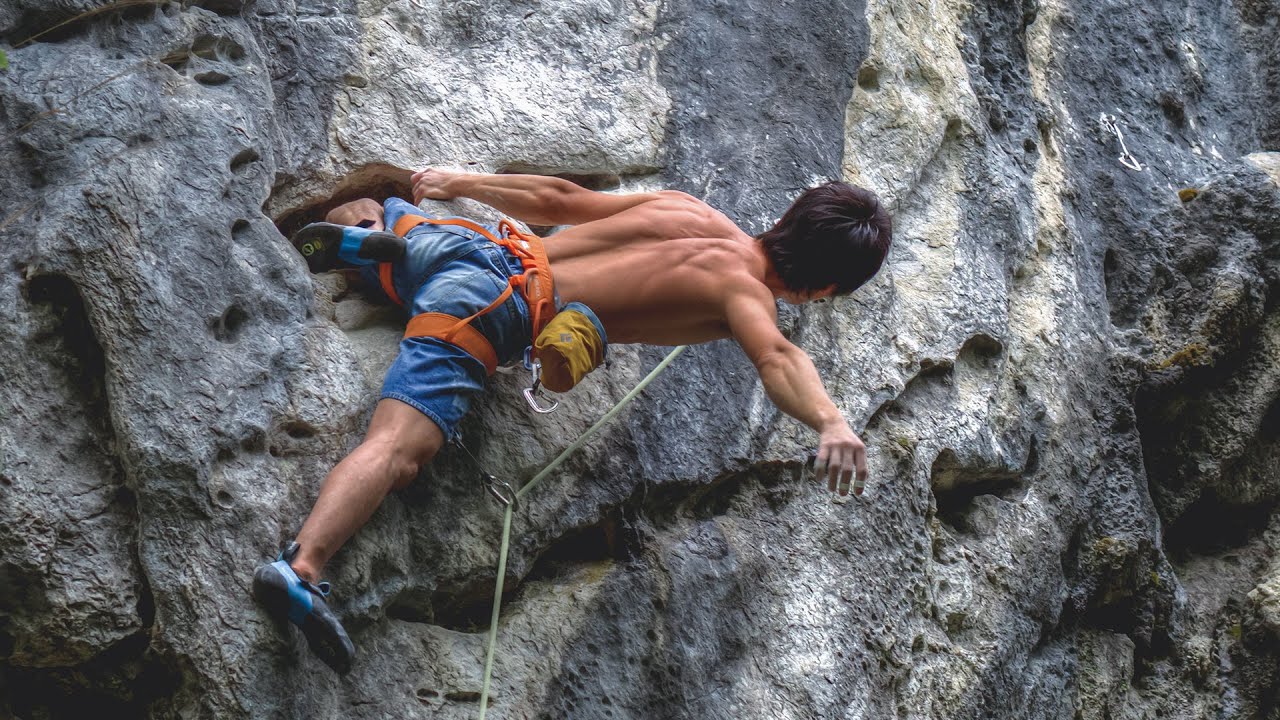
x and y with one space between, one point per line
570 347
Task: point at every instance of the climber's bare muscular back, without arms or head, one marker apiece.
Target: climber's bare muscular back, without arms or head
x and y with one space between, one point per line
657 272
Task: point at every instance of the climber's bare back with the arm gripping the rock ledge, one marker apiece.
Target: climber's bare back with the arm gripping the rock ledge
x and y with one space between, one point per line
662 268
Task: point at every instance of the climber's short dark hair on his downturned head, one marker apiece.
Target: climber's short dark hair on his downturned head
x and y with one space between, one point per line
835 234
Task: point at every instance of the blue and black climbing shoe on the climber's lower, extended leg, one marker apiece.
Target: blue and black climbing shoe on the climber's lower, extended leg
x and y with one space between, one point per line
287 596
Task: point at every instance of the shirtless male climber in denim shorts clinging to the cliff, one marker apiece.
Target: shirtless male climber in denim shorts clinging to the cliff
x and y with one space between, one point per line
660 268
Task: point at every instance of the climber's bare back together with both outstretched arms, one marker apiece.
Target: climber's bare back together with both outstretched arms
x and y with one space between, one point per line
668 268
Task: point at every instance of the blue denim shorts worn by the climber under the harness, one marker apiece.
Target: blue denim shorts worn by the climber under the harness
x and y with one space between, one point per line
459 272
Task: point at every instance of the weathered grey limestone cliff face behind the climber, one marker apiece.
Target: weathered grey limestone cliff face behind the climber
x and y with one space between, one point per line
1067 373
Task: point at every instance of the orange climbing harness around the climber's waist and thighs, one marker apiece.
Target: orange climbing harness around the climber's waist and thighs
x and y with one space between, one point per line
536 286
